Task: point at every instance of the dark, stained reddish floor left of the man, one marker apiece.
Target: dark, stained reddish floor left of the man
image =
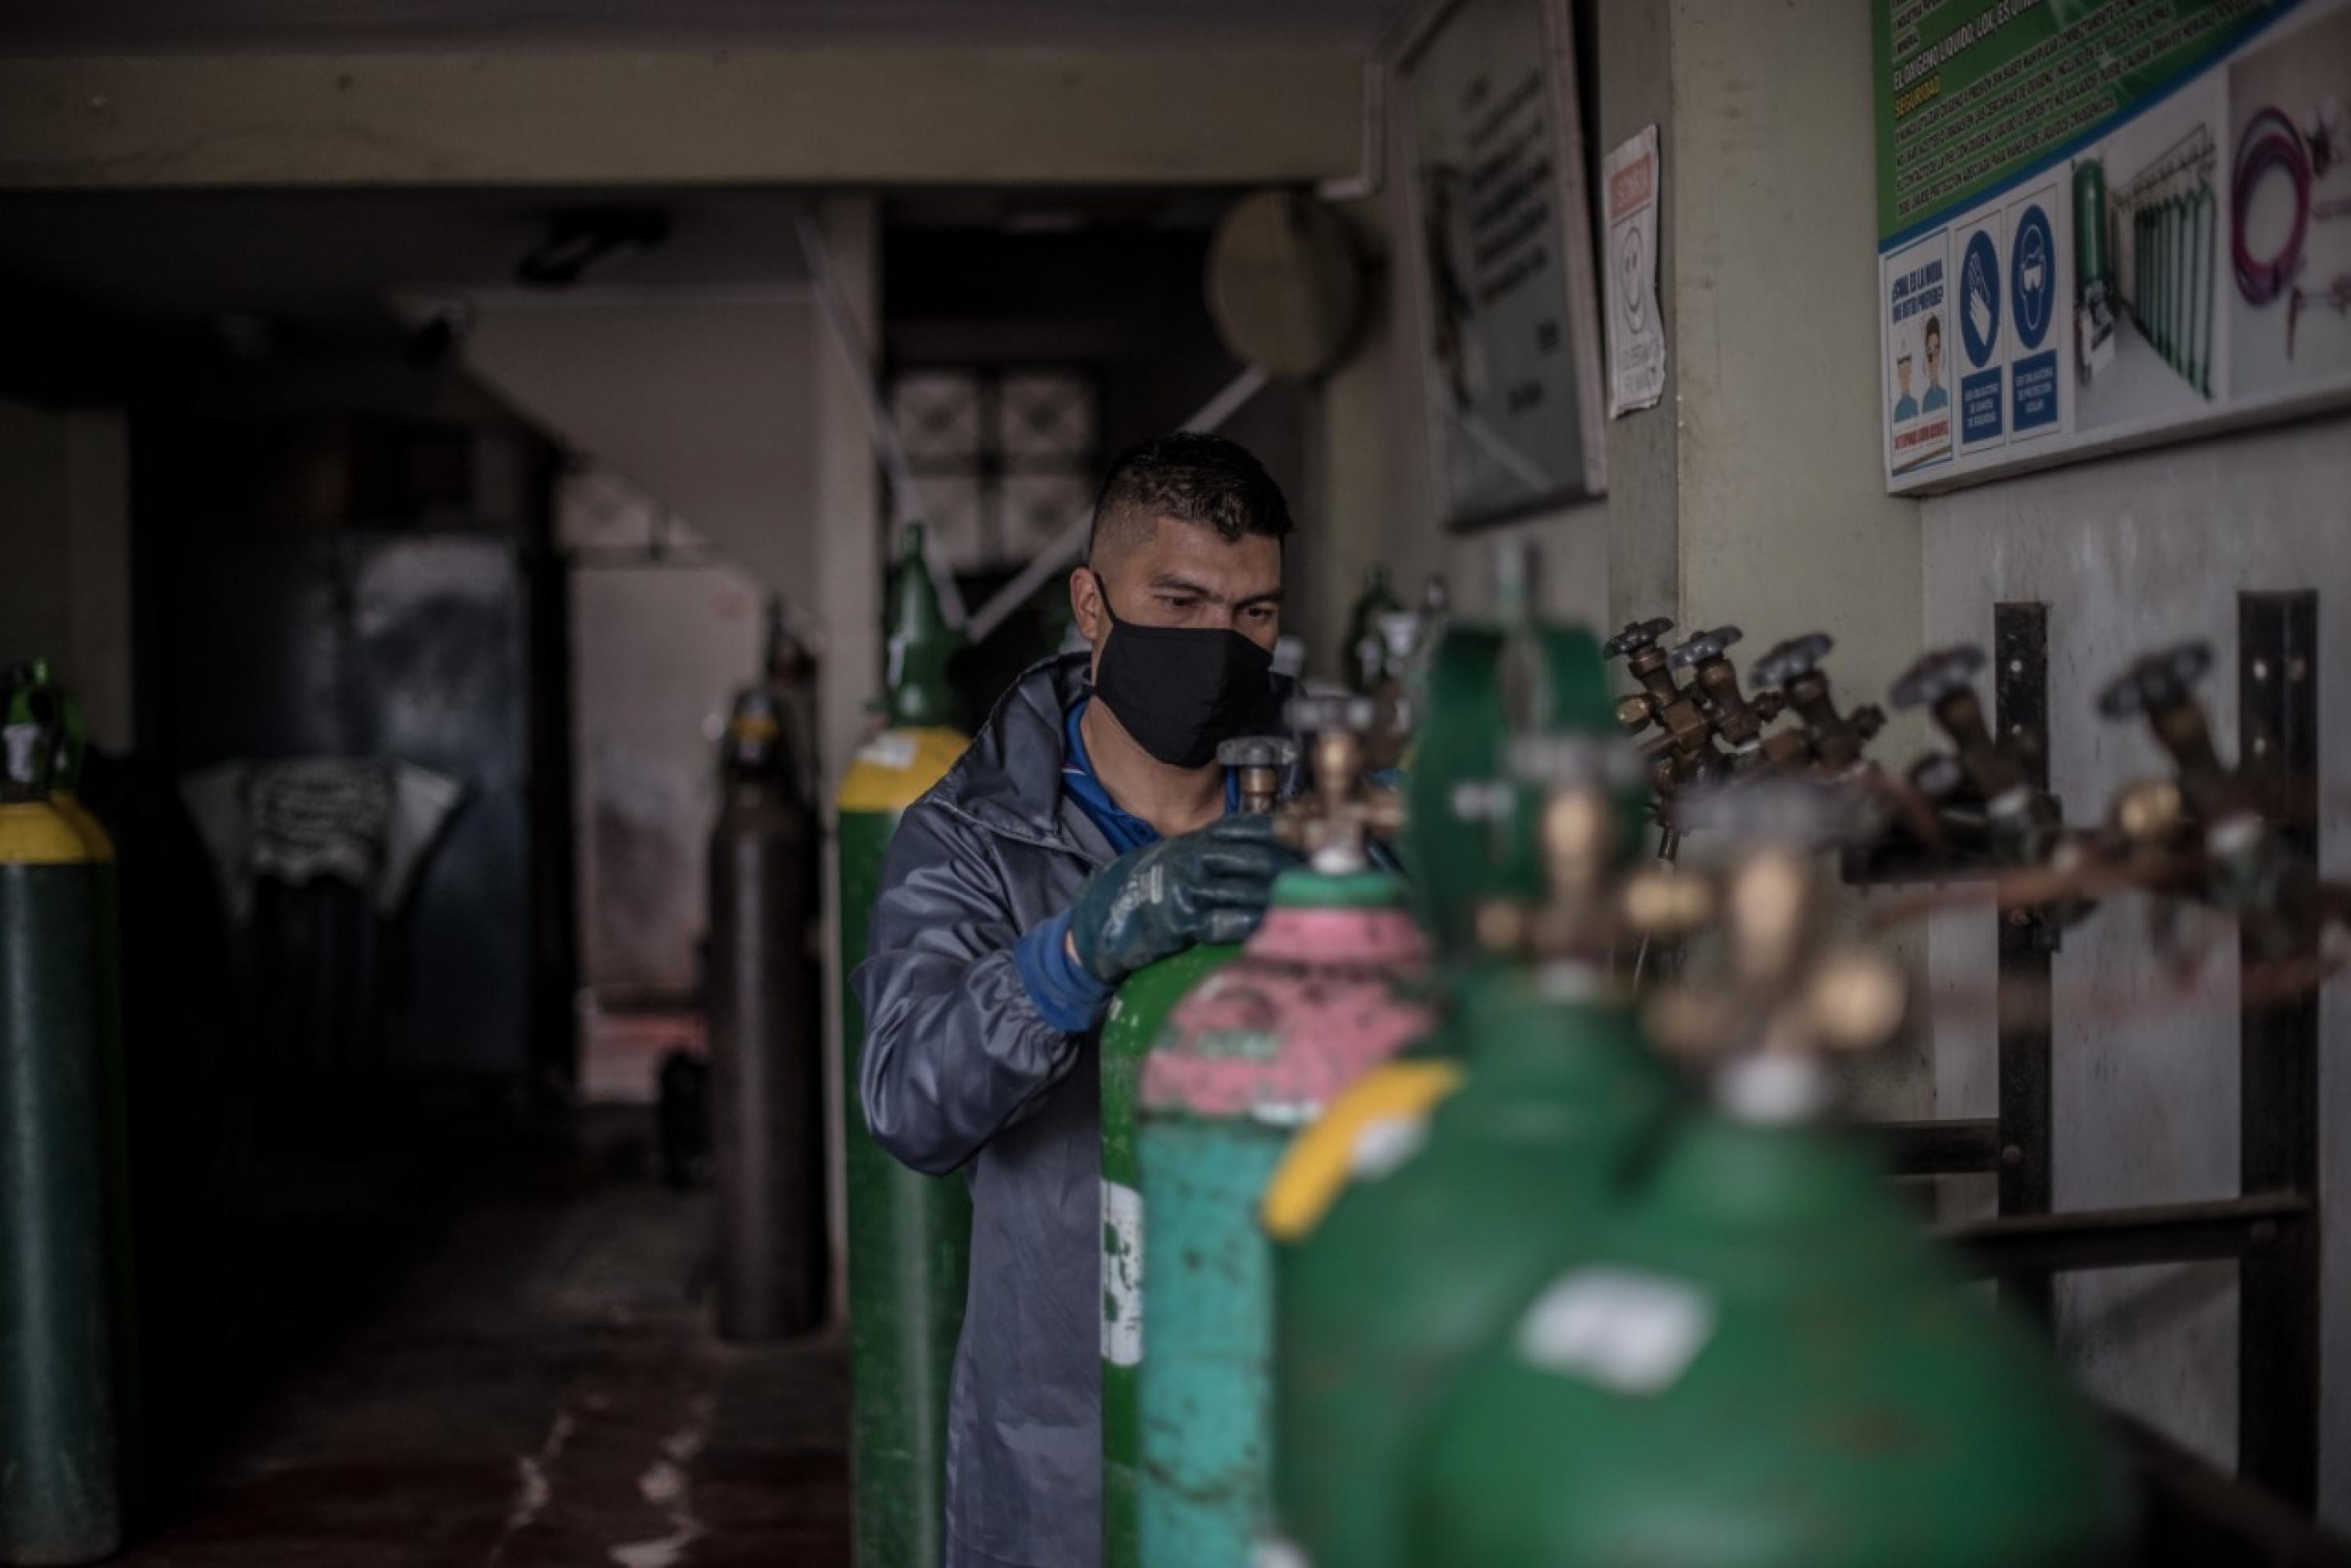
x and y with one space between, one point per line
493 1365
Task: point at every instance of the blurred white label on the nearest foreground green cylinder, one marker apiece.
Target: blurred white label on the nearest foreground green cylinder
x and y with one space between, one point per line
1623 1329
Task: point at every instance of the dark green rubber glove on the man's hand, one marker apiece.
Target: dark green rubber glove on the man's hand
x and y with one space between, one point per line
1156 902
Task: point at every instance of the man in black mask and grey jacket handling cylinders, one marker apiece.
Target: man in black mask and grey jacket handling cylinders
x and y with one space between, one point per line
1080 838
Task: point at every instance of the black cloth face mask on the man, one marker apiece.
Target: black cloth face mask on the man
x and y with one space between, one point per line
1181 690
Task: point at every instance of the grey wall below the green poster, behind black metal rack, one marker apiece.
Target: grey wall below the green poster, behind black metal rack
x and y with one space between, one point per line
2134 554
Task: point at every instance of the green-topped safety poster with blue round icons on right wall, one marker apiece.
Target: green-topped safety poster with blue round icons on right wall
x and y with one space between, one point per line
2105 222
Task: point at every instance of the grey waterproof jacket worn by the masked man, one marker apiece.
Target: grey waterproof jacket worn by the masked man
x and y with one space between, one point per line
965 1076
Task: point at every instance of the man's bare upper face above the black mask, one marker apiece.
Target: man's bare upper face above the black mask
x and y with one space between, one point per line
1186 575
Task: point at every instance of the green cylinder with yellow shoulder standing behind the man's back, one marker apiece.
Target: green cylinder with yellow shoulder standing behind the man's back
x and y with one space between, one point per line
909 1233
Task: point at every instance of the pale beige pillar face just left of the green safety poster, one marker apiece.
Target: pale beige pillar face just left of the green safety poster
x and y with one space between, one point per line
1786 521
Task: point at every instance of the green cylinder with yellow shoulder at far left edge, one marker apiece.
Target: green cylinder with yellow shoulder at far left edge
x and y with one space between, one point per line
60 1445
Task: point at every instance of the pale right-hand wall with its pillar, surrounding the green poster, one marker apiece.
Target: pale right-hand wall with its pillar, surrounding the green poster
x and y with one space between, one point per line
1783 523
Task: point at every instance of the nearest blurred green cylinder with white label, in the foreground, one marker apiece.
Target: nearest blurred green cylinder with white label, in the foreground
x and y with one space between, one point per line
1764 1362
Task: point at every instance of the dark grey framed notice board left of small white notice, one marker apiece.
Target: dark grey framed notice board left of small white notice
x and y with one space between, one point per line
1501 260
